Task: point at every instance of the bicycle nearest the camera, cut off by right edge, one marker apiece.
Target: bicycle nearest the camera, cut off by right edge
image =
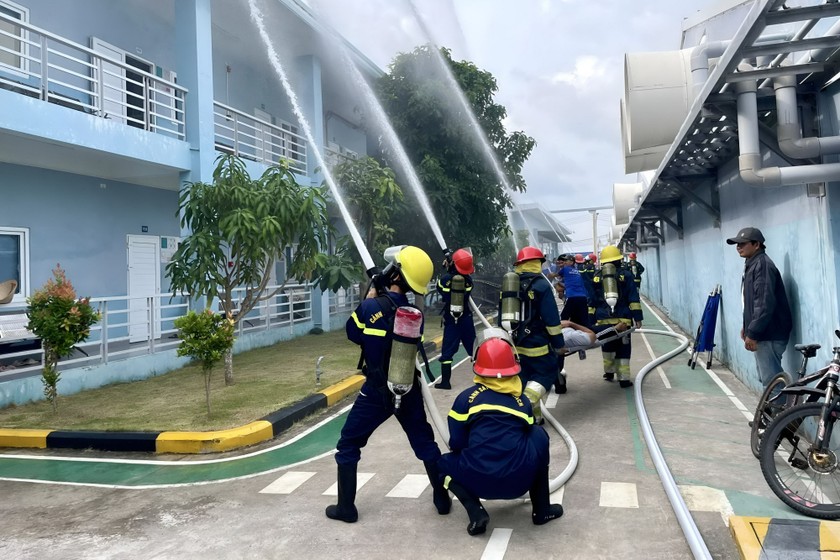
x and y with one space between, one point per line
799 449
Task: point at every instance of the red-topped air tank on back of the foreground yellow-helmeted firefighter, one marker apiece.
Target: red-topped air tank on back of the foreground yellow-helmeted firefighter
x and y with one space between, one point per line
407 324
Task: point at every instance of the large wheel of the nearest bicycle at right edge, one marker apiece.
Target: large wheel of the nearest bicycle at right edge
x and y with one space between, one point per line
804 478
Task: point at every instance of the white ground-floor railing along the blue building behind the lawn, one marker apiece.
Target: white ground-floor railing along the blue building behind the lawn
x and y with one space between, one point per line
139 326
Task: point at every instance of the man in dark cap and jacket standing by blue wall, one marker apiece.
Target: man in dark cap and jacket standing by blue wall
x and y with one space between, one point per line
767 318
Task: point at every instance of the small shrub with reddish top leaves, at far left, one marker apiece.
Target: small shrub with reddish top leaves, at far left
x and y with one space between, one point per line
61 321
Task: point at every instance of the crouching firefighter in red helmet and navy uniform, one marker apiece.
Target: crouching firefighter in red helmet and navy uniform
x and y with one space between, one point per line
497 450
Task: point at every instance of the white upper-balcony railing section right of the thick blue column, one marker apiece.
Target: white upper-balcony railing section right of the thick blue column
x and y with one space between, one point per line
252 138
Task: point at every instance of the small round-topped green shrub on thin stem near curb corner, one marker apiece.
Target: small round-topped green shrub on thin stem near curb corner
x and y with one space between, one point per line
206 337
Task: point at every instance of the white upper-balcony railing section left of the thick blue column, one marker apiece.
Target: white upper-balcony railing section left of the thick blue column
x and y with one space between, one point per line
45 66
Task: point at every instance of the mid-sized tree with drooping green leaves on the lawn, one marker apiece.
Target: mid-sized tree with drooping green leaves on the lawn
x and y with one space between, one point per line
238 228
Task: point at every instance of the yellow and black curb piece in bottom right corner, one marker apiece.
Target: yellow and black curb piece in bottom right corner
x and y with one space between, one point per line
765 537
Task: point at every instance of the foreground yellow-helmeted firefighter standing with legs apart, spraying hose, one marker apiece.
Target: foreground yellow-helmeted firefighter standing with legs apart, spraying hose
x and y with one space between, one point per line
391 384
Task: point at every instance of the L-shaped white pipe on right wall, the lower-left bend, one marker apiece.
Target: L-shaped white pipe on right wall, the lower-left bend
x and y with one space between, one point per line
749 160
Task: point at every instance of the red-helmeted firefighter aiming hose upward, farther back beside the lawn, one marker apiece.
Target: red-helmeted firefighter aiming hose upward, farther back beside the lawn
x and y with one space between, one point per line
455 286
